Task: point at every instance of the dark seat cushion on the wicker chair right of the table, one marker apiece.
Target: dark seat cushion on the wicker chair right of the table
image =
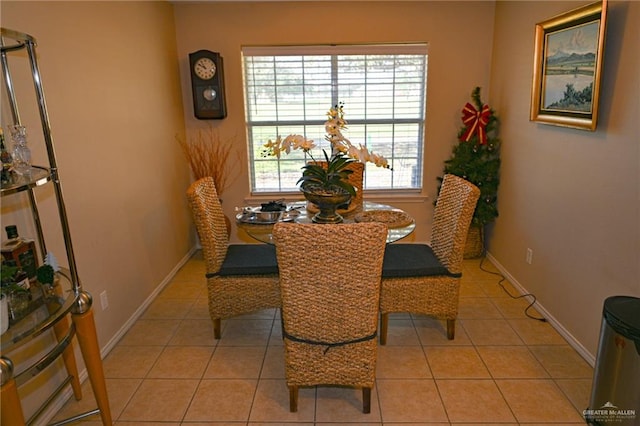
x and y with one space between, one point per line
412 260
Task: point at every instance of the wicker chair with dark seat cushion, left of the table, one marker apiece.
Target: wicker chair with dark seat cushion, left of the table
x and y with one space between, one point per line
241 278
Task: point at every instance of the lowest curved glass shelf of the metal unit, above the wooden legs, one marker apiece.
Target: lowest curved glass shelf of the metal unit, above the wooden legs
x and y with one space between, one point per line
43 312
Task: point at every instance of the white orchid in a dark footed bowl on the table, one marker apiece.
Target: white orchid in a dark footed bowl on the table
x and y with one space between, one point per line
326 183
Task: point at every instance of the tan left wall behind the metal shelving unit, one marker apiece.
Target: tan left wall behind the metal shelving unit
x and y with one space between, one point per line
111 78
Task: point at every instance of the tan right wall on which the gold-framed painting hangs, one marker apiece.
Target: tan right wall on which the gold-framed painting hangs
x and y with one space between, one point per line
572 196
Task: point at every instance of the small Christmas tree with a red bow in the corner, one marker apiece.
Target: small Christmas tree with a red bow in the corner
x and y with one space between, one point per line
476 157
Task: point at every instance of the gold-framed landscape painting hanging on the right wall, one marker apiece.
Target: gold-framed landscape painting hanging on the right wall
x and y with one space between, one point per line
568 66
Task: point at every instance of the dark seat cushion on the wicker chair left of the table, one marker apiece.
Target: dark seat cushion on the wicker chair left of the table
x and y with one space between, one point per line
249 259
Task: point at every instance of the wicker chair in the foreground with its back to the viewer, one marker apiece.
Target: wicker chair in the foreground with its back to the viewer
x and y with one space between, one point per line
330 304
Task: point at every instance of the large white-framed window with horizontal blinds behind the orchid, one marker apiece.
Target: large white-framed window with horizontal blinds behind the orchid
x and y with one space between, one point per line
290 89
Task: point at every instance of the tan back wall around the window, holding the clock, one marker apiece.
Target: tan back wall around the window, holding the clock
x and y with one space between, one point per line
459 36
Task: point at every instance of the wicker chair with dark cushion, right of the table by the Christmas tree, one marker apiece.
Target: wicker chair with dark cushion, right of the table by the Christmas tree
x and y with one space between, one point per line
425 279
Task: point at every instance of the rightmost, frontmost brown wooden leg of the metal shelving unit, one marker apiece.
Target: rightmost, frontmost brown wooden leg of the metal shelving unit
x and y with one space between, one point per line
88 341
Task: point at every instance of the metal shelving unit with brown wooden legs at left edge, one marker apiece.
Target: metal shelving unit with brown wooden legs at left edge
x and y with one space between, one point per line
68 312
